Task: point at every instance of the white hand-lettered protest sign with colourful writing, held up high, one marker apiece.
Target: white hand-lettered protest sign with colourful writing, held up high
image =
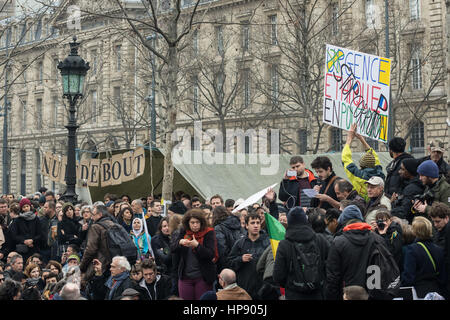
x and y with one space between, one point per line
356 90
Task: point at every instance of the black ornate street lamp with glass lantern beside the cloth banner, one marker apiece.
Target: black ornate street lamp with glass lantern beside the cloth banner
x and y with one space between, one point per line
73 71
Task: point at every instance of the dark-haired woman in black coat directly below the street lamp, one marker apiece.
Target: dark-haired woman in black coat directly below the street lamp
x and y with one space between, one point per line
68 229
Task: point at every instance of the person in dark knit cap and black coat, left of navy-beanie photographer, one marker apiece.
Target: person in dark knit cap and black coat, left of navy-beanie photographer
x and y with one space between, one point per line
401 207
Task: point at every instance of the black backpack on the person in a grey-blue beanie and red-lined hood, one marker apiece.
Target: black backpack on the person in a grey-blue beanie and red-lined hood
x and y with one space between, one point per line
382 272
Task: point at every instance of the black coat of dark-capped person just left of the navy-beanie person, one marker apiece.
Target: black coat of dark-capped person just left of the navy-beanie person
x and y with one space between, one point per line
402 206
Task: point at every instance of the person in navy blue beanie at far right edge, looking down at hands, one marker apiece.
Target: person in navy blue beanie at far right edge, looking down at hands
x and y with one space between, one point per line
436 187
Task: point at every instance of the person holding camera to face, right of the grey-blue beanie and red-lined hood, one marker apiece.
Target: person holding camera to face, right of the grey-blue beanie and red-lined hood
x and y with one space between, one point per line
390 231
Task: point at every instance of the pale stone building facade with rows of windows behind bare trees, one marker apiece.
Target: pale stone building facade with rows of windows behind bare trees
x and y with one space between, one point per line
241 48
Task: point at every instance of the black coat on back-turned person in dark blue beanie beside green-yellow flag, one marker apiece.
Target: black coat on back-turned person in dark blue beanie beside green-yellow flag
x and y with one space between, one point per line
282 272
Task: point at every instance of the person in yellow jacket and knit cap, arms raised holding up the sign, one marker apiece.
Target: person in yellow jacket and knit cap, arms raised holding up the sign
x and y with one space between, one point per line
369 163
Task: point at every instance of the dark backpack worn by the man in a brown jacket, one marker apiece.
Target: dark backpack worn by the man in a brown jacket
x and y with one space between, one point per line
119 242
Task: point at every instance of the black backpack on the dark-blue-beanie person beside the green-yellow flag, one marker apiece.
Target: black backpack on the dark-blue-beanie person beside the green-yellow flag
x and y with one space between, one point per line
305 267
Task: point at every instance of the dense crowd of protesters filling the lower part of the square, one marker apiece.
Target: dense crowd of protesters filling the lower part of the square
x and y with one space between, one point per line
206 250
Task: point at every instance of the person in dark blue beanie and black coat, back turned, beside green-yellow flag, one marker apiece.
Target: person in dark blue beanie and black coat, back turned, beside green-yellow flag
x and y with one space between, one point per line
299 233
